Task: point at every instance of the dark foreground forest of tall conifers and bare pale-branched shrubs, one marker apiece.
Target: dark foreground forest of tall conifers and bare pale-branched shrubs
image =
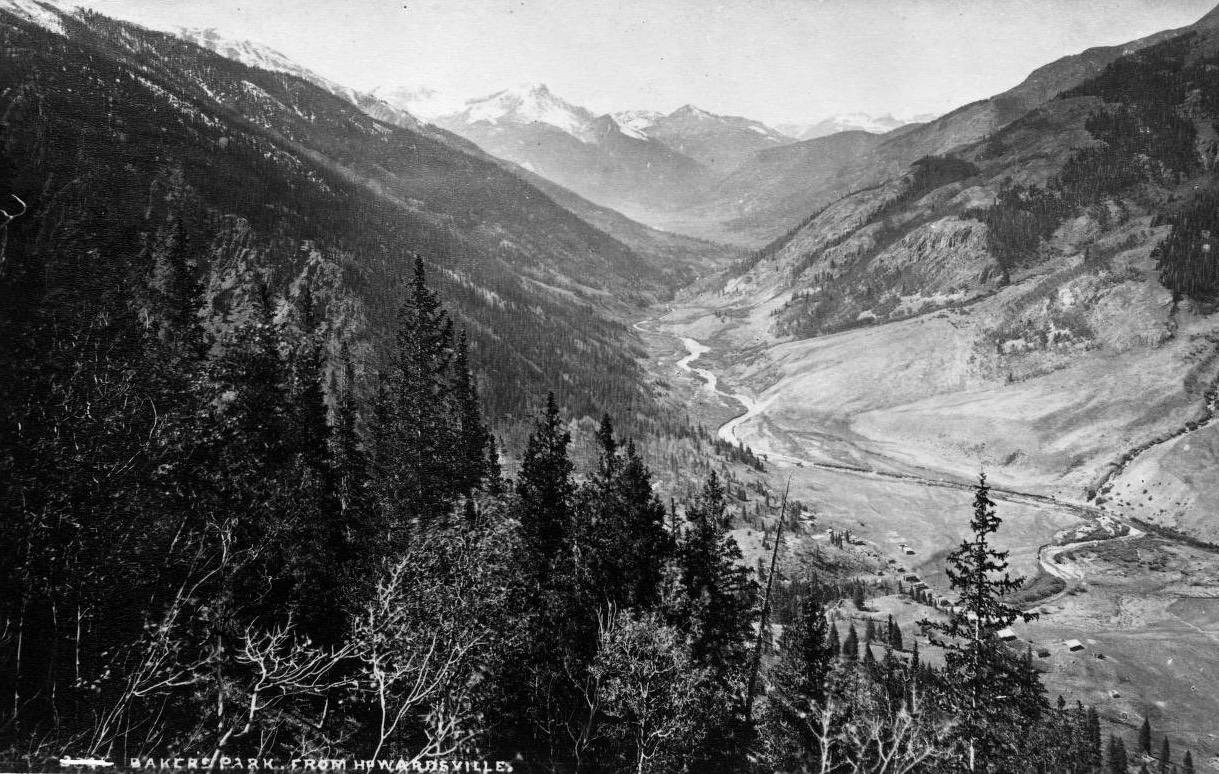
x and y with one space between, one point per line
216 549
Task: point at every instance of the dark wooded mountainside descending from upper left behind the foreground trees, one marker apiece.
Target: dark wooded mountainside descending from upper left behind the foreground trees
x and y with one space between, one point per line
279 182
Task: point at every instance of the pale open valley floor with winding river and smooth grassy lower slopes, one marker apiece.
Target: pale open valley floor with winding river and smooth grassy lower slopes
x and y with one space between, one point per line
883 431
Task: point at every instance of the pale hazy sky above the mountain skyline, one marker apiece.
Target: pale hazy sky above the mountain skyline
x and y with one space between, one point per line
773 60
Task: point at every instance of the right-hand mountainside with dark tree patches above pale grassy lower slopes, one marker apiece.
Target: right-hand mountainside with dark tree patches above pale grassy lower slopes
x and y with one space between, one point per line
1071 244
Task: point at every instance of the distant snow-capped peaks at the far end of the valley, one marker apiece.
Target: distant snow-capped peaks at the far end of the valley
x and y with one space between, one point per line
655 168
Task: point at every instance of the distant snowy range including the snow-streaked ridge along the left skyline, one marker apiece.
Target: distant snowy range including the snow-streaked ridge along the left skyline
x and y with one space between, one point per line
689 171
